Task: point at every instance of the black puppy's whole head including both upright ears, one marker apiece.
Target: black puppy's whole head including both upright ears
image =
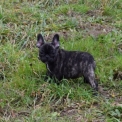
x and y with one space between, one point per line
47 51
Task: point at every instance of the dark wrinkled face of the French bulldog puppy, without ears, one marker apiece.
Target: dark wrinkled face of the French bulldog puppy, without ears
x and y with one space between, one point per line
47 53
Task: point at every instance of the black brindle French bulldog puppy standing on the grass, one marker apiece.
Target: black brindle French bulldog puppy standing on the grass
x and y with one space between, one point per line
66 64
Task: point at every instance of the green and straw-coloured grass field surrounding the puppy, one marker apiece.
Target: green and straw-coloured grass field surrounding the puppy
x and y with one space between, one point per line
92 26
